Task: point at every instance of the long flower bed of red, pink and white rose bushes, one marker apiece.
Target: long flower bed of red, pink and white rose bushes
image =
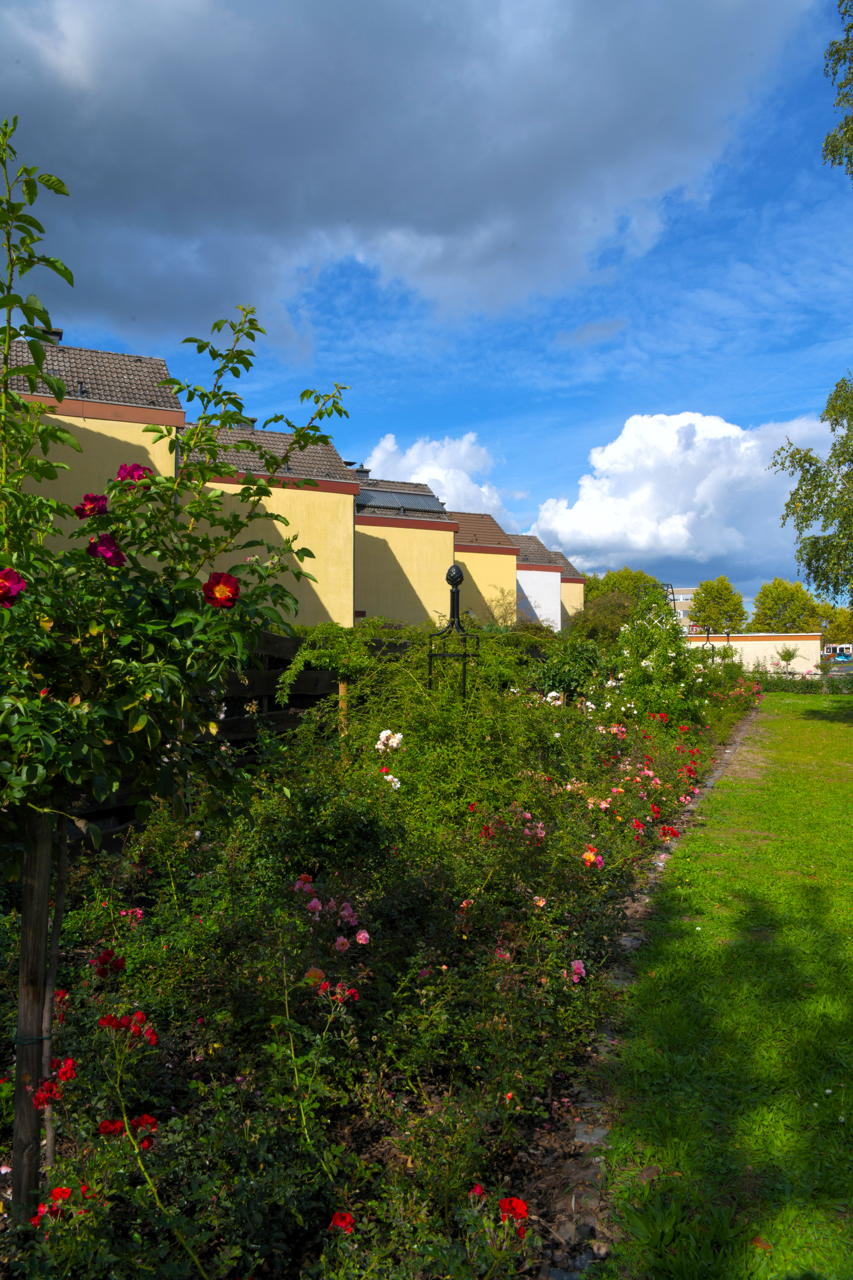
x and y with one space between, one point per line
311 1039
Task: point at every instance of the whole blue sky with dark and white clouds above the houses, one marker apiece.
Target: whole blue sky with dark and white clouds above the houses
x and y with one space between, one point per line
580 266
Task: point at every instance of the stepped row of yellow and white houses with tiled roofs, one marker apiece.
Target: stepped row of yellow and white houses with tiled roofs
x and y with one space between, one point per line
377 547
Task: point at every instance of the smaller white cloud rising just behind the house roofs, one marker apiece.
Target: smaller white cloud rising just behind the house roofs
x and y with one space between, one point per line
450 467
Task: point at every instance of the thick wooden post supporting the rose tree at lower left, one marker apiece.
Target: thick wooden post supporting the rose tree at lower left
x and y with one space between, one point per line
26 1148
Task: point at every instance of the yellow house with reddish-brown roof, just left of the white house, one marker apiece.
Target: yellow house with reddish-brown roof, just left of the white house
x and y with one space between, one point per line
487 557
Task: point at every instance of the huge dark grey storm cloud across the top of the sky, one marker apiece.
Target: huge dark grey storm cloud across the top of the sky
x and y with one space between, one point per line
478 150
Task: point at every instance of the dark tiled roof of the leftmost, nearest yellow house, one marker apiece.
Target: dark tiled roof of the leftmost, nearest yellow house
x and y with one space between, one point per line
107 377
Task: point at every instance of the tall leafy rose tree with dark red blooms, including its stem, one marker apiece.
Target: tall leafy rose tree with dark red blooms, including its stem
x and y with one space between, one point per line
117 628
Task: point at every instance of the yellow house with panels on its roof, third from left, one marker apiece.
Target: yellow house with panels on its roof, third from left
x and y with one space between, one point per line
404 546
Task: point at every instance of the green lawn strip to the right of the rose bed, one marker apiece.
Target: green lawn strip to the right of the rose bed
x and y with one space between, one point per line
731 1158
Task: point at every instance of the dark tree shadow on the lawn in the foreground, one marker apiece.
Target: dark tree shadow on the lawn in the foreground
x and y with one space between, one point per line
726 1092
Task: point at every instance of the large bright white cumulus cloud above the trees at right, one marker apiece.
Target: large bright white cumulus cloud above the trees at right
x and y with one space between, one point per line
686 488
